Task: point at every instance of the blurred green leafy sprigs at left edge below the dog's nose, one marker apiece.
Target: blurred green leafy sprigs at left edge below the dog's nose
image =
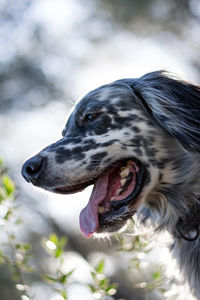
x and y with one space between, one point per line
14 253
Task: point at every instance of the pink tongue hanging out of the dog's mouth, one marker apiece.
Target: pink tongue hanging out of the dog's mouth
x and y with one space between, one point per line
88 219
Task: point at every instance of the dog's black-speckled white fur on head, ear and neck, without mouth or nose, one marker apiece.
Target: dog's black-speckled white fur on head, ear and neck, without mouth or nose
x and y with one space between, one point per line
156 119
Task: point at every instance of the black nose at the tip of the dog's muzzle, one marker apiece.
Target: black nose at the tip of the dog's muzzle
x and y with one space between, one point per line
32 167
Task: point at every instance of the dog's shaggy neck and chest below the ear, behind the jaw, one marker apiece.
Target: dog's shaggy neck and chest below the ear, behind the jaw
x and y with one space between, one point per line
176 208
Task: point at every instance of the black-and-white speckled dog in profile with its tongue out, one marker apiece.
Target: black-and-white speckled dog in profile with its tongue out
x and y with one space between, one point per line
138 142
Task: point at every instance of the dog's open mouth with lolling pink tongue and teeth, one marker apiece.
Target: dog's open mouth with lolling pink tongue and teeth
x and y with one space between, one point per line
114 197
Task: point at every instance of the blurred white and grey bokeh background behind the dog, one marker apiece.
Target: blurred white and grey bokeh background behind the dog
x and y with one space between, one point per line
51 53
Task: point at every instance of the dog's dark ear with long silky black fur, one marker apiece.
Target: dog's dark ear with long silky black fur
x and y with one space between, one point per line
172 104
